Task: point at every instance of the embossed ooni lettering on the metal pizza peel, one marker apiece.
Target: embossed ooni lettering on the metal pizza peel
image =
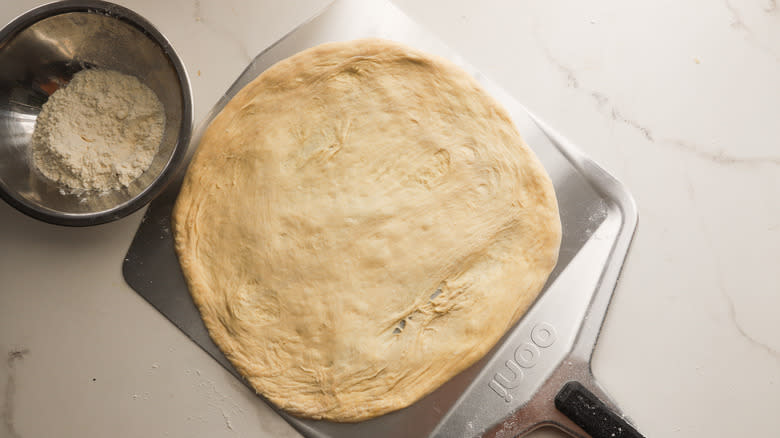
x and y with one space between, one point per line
526 356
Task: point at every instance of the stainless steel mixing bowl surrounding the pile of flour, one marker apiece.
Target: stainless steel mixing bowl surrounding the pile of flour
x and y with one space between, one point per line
43 49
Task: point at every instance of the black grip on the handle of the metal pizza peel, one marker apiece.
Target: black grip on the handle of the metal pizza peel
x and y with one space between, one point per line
591 414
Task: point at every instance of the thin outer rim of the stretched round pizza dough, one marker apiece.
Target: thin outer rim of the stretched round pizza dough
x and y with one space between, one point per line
182 222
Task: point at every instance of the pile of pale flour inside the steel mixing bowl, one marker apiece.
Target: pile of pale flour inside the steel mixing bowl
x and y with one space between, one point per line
100 132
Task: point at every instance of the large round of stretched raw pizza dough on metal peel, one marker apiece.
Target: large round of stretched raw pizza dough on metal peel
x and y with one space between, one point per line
361 223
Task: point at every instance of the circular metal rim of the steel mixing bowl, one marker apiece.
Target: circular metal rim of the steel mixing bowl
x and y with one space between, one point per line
176 159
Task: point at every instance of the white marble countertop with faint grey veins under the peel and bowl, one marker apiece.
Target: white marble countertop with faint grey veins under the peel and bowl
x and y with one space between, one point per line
680 100
